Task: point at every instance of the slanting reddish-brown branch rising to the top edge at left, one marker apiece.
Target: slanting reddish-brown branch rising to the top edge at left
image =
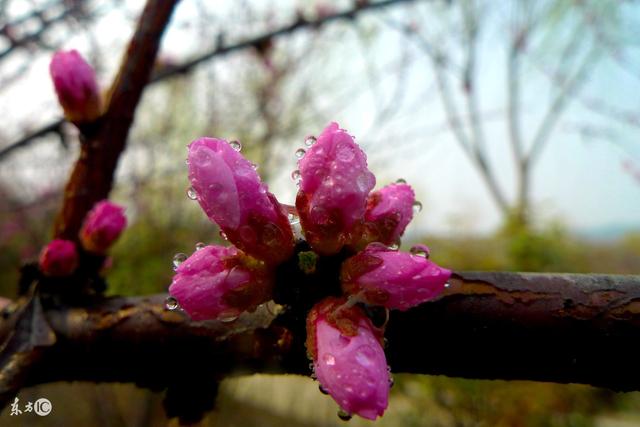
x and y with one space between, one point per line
92 177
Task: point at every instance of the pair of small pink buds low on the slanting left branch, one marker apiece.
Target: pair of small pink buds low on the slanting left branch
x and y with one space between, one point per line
101 228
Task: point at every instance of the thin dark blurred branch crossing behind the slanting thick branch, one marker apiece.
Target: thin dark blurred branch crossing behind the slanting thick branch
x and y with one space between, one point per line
223 49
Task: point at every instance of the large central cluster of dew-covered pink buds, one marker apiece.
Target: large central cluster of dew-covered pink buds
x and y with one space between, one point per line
341 218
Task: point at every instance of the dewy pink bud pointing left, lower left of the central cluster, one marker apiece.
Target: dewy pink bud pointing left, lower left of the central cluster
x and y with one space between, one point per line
218 282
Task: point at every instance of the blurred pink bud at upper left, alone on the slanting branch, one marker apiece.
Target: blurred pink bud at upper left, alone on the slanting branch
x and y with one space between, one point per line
76 86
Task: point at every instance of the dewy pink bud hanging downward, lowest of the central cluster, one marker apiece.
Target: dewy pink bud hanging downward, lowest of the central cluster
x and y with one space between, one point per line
348 358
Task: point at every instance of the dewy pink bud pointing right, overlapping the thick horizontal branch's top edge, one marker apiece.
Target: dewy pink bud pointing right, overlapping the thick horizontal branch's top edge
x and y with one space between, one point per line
395 280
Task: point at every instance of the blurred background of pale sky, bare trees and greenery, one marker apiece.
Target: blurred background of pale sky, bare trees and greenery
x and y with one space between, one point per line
517 123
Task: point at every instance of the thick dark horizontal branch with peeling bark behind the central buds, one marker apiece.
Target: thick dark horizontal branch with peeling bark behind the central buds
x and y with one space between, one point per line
543 327
